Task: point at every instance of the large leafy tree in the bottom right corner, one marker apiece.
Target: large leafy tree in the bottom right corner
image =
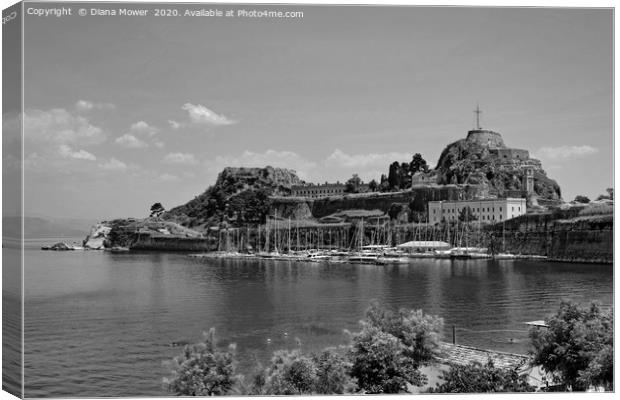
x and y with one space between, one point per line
577 346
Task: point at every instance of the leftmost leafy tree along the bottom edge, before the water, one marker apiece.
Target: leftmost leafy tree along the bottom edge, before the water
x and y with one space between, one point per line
203 370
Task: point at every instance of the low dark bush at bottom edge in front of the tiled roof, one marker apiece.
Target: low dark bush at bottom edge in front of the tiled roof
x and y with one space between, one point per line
478 378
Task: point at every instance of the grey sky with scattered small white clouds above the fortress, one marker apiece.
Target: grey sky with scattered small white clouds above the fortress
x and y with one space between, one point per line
122 112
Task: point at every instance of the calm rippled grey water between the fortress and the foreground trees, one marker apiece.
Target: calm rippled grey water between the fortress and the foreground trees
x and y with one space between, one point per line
101 324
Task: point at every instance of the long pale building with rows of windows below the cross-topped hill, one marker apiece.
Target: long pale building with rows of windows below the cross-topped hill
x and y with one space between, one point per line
484 210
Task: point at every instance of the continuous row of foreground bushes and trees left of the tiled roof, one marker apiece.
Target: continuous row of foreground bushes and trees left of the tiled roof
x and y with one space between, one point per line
385 356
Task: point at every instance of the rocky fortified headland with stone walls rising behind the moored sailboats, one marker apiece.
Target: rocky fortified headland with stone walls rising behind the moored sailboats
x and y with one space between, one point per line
249 200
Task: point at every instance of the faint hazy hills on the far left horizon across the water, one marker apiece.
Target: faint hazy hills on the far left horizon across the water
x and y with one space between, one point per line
47 227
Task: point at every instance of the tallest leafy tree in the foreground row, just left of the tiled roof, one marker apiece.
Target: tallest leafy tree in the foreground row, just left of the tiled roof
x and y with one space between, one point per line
387 353
